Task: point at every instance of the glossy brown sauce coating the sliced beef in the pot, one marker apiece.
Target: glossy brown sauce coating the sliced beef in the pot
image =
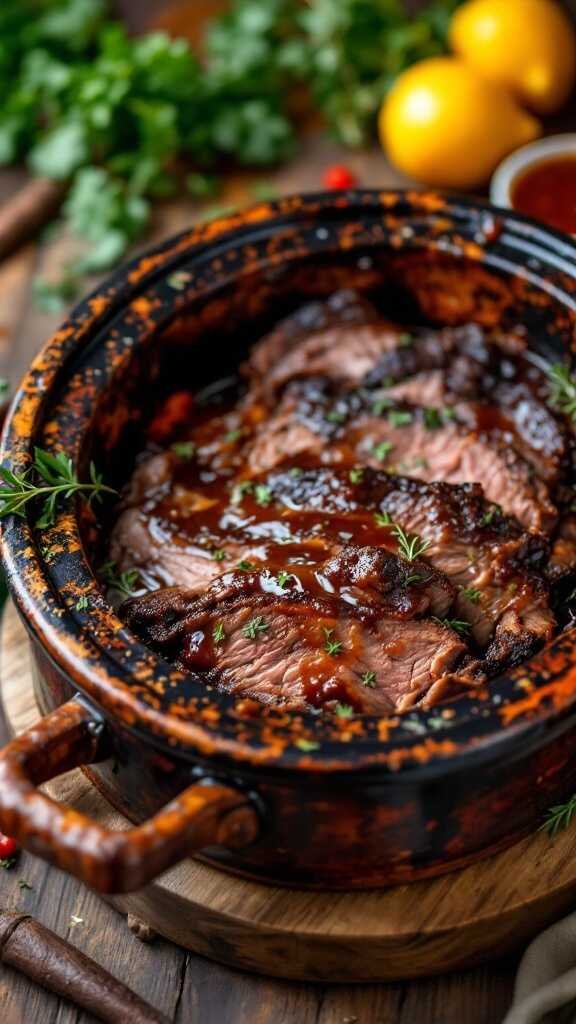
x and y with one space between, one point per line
210 506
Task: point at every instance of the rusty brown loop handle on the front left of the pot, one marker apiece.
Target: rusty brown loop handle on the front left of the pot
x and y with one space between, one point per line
105 860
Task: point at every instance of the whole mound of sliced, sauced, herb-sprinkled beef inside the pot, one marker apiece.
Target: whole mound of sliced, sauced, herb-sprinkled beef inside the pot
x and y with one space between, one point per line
376 525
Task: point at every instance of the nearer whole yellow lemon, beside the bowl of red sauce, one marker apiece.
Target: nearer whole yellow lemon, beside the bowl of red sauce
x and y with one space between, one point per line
445 125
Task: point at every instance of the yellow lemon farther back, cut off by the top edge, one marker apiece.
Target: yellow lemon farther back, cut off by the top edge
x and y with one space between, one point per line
529 46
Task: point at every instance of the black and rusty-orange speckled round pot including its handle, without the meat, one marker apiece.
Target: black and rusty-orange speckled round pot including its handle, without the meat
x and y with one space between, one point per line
280 796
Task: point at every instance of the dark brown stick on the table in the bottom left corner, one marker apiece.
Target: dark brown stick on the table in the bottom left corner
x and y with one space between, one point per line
55 964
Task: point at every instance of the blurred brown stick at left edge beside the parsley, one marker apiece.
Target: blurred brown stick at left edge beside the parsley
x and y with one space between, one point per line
27 211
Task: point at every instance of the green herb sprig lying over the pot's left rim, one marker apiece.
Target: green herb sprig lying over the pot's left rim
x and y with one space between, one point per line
50 479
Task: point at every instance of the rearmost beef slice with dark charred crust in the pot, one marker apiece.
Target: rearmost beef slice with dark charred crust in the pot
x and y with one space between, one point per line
496 394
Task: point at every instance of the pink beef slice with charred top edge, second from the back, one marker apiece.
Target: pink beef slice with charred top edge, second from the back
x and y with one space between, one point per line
305 425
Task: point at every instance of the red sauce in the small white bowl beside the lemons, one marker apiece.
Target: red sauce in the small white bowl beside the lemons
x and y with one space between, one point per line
548 191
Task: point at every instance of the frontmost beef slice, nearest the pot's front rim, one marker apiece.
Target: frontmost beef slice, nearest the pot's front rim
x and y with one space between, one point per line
301 650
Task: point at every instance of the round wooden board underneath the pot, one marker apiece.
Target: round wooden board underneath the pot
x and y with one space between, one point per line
426 928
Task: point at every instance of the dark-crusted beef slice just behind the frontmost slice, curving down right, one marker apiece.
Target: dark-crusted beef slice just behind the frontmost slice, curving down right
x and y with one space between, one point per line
497 569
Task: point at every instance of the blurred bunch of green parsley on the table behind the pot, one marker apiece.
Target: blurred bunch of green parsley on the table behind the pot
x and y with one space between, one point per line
122 119
